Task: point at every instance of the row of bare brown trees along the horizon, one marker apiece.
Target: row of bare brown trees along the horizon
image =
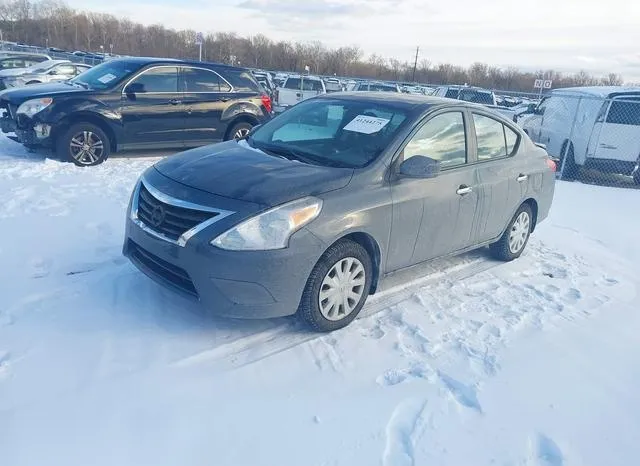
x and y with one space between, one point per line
52 23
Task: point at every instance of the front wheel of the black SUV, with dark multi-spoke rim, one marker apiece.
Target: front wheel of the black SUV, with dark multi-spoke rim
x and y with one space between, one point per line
71 145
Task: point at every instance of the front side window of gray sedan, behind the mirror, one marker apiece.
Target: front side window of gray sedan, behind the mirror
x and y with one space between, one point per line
441 138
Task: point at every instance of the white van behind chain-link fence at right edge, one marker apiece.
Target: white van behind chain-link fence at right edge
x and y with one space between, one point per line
597 127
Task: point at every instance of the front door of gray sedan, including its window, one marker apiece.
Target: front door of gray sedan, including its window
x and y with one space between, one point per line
435 216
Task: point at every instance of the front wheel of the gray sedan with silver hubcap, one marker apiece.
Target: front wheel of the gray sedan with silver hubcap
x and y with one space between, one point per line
326 316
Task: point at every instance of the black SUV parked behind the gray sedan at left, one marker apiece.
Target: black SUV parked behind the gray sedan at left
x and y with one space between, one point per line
136 103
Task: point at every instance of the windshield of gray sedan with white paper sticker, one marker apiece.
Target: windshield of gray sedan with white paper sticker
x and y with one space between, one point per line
331 132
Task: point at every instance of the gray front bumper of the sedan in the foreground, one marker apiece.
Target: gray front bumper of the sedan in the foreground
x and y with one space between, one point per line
240 284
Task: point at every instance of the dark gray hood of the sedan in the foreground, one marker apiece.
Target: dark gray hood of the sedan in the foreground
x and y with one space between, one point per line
235 170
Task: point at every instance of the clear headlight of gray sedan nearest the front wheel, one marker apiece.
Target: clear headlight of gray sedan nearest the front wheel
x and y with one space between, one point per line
271 229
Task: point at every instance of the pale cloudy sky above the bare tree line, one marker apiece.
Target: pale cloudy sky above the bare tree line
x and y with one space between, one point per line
568 35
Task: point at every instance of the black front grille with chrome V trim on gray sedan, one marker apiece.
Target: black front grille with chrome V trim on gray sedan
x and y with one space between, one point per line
167 219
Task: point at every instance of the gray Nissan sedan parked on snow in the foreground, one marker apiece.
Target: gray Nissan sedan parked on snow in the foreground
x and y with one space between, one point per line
310 211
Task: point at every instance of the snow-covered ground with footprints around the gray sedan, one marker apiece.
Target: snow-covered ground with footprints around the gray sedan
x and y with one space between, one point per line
465 361
